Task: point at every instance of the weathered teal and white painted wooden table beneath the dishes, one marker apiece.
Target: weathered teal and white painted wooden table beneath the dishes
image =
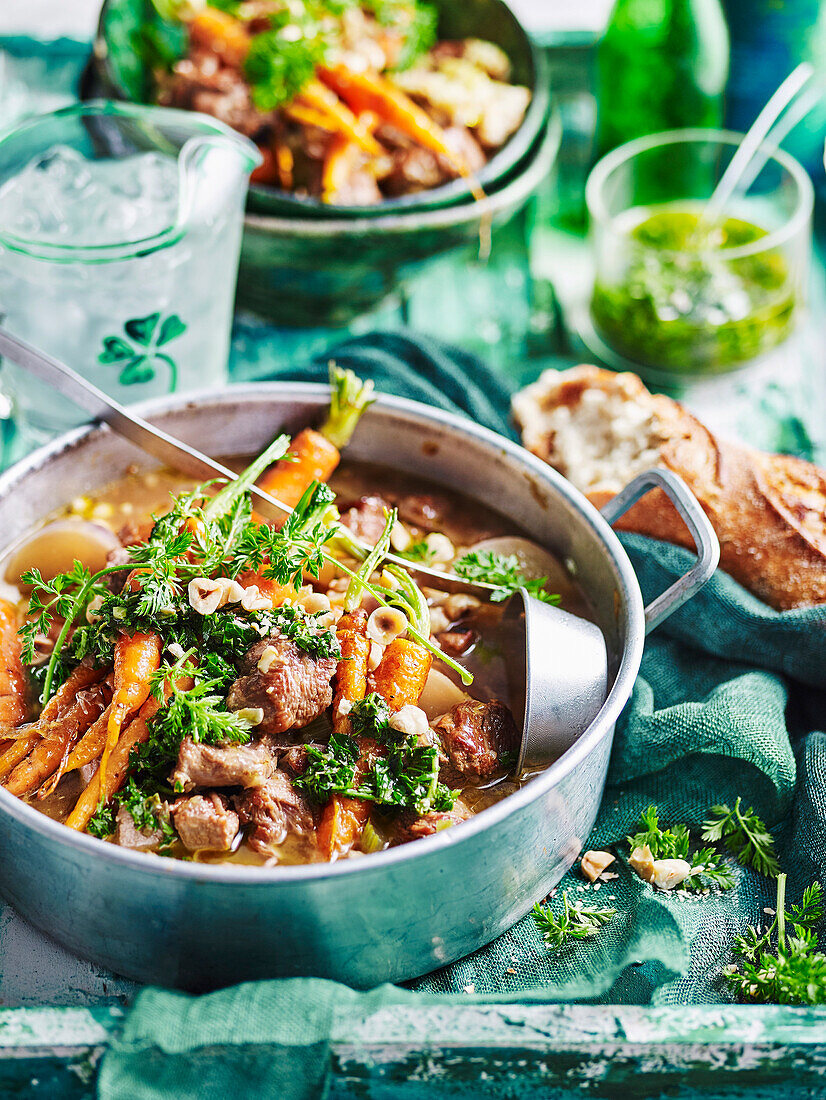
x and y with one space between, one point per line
58 1014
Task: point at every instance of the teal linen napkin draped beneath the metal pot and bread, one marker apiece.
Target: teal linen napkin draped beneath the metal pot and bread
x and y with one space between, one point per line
726 705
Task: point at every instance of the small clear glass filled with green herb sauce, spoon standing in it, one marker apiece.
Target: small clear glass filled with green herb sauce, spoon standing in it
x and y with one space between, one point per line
680 296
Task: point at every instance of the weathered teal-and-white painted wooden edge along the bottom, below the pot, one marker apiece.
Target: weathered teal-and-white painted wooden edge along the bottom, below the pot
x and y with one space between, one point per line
489 1051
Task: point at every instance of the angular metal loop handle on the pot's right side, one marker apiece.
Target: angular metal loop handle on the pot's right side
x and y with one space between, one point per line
696 520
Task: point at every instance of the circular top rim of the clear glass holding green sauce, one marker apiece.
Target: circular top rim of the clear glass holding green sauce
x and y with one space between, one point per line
798 221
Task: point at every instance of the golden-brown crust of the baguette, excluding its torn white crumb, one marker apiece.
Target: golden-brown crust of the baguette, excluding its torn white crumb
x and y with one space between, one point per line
769 511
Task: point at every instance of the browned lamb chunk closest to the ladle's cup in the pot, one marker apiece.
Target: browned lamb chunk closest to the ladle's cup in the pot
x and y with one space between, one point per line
475 735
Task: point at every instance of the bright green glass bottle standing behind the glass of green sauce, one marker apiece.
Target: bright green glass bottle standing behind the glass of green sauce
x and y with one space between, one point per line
662 65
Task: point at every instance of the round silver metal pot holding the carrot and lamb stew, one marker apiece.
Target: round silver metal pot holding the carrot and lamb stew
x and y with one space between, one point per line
393 916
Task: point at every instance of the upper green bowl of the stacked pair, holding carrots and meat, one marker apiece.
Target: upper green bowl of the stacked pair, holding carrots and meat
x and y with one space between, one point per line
122 75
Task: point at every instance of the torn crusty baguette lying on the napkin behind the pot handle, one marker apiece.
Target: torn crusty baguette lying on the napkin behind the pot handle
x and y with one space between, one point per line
601 430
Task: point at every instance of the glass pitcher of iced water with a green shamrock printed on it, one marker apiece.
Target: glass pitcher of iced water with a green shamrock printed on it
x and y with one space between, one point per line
120 232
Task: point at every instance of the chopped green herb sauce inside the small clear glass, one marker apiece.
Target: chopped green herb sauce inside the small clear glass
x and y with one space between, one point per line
685 306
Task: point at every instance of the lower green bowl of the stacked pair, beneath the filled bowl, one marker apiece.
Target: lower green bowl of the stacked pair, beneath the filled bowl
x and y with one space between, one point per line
327 271
